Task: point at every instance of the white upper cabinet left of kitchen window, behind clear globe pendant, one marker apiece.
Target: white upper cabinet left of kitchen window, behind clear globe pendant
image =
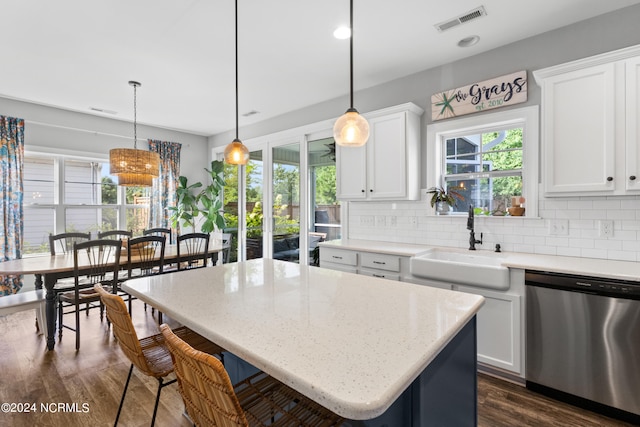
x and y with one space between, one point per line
387 166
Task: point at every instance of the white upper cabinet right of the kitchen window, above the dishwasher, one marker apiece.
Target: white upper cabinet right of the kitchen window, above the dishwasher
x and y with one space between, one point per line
590 125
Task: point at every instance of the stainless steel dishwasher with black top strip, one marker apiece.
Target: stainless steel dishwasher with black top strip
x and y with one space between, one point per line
583 341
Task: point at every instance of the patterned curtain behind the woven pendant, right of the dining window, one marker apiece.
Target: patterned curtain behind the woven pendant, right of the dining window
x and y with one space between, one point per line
163 193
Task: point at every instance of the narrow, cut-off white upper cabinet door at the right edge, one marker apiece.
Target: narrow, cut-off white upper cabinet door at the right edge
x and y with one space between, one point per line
632 131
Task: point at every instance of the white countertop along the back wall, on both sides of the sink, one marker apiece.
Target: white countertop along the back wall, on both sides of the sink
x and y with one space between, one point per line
620 270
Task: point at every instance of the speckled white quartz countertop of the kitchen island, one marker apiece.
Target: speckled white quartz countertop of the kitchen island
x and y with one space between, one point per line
352 343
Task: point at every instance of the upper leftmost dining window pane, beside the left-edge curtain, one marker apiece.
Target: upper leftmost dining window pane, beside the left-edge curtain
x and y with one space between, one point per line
39 181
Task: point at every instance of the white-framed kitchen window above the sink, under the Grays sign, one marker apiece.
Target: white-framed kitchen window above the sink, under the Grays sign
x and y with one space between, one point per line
490 160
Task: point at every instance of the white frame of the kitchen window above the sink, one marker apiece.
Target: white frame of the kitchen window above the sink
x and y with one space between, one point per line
527 118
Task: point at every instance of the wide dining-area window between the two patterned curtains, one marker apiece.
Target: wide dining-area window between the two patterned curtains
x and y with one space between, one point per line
72 194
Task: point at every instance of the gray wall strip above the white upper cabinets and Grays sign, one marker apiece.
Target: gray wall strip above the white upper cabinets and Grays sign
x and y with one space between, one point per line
598 35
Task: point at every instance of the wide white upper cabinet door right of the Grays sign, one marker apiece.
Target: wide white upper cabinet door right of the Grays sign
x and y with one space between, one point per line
579 130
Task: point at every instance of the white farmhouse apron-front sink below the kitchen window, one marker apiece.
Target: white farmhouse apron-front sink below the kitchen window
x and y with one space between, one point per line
465 268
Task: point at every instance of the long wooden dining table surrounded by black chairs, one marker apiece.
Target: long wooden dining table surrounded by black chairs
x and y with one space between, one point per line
49 269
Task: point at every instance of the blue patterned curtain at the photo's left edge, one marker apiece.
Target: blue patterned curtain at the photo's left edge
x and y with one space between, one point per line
11 169
